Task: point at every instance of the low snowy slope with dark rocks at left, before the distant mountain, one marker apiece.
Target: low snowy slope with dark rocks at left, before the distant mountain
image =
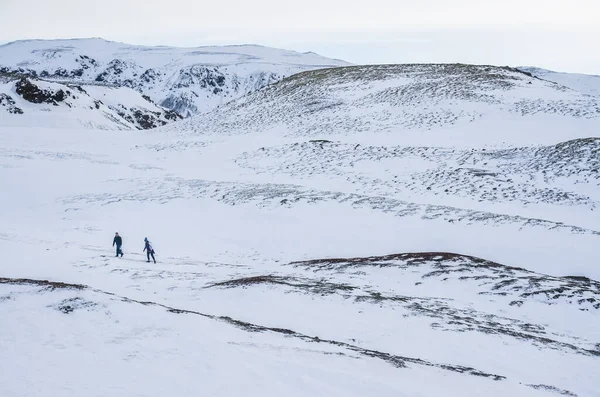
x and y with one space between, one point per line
35 103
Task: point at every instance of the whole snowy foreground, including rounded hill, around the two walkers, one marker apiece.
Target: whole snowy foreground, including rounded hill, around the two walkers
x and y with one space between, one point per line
407 230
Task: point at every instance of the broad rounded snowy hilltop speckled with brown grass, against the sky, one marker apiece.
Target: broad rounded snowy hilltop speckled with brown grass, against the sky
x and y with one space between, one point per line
397 99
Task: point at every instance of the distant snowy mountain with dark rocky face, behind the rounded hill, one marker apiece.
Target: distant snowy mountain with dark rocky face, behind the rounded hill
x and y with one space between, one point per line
186 80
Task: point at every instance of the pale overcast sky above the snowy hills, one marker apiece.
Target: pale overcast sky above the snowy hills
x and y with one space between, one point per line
562 35
